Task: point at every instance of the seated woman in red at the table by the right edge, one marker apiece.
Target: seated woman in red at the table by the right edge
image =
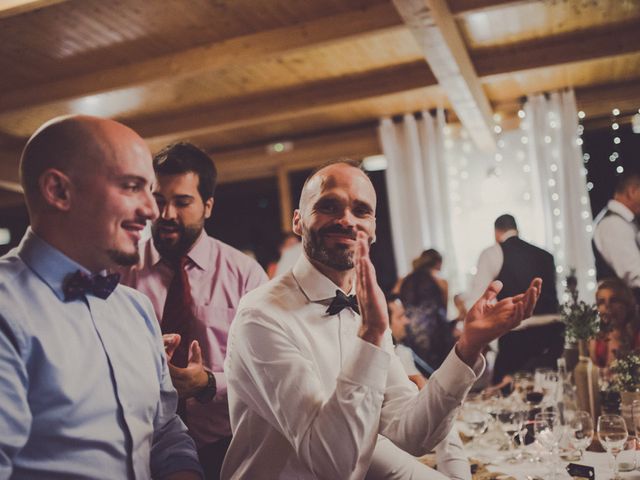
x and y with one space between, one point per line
619 327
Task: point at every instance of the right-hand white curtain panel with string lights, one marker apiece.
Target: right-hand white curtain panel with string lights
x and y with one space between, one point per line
551 125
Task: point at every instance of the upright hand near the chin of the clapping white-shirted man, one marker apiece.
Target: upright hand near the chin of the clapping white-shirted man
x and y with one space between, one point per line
373 306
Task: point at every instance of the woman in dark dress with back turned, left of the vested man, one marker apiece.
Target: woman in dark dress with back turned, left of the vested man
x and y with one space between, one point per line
424 295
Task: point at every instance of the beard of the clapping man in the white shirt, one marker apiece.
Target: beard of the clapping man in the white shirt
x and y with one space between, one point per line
339 257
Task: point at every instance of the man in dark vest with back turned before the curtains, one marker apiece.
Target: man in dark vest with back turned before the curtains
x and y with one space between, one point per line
538 341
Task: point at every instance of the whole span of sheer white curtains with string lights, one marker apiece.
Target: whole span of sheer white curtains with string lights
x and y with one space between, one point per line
445 194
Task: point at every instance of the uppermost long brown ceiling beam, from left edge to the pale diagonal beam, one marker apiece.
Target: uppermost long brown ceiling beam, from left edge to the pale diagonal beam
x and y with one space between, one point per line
233 51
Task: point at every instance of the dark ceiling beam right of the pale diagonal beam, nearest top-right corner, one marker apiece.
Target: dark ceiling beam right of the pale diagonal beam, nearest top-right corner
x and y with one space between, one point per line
558 49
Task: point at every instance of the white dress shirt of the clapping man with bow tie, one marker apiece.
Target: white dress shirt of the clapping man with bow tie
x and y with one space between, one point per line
308 397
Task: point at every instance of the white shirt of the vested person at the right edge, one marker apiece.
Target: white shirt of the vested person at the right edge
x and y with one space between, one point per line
616 237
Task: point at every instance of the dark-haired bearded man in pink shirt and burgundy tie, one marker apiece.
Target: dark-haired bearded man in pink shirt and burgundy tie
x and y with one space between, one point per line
195 283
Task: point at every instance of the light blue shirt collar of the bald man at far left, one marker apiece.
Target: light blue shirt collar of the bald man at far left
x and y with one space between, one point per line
47 262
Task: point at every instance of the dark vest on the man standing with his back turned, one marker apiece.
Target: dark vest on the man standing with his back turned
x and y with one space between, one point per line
522 263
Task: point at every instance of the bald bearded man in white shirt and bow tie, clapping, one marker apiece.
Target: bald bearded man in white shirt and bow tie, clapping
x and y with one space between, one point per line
313 383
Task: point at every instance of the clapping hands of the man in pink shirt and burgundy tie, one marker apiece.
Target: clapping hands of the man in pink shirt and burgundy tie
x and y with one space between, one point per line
190 380
